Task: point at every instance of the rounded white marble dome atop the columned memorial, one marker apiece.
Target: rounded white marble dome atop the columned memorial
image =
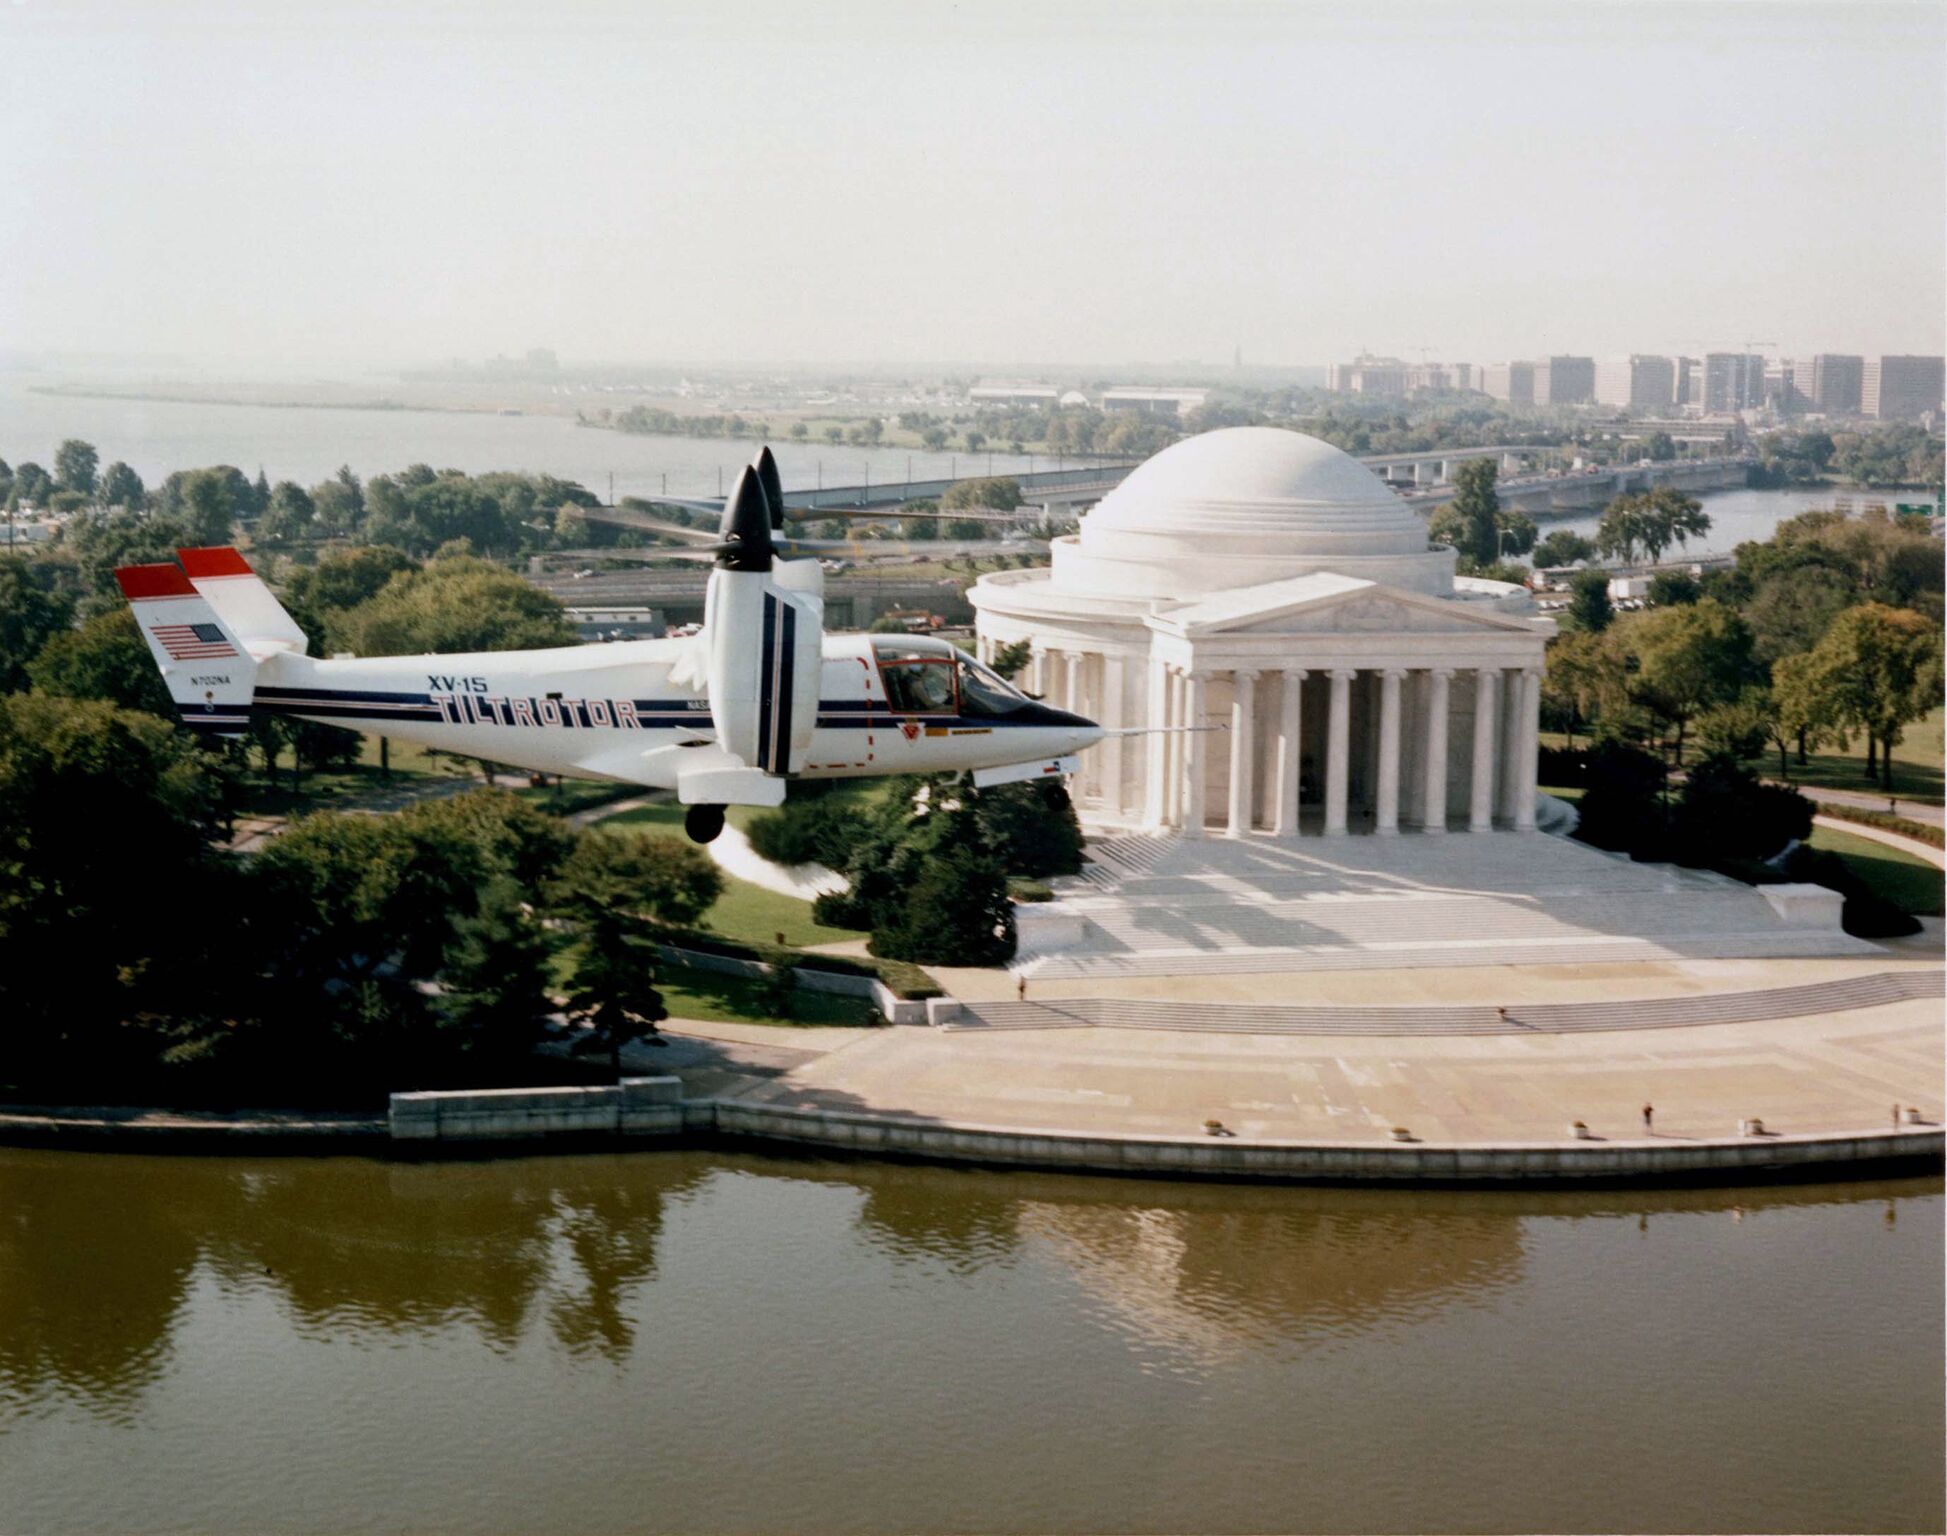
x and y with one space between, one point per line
1243 507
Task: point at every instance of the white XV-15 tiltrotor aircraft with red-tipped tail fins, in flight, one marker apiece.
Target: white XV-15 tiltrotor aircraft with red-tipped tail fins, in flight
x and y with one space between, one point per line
727 717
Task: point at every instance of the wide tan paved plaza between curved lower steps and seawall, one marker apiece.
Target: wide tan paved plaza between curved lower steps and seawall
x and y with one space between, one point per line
1821 1074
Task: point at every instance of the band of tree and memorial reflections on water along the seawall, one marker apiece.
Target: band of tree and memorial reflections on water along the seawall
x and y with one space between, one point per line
98 1255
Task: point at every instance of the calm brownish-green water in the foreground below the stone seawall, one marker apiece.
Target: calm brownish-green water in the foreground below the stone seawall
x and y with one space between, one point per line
688 1342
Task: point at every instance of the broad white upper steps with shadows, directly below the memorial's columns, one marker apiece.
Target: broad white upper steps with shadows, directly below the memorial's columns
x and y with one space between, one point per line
1171 906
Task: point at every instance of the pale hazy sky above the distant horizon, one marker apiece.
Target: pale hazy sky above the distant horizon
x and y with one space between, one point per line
973 182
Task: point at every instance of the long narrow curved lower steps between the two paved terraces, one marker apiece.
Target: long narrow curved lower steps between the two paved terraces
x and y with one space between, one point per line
1658 1013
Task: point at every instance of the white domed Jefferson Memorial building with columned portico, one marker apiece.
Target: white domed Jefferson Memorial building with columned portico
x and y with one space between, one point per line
1270 587
